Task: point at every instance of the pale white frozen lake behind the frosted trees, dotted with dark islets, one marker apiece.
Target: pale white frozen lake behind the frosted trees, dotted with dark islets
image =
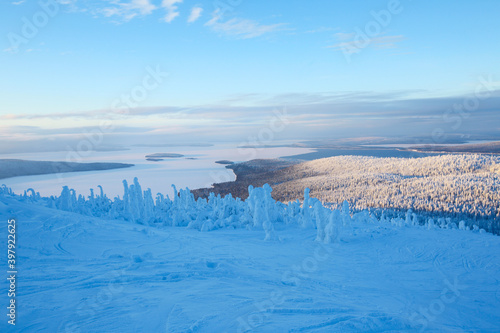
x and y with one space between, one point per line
196 169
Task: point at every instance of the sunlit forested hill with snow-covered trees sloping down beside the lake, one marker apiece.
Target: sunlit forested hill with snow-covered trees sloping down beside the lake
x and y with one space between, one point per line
456 186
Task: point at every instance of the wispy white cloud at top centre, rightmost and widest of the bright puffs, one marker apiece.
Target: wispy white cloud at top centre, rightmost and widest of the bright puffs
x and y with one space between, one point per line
240 28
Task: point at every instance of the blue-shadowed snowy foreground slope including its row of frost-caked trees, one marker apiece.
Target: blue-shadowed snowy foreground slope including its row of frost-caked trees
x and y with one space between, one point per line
318 270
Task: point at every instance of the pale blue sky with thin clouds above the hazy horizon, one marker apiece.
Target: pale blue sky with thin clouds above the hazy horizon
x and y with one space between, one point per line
221 70
